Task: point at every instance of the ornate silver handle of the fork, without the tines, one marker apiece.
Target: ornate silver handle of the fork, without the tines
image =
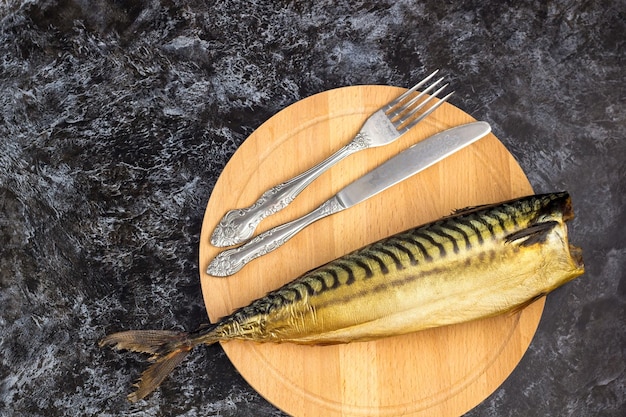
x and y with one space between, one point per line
238 225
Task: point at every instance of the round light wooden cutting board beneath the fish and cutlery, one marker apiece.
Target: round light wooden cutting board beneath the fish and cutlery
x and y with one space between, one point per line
439 372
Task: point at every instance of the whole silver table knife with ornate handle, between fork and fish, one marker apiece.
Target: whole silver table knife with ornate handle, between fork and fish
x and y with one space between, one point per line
402 166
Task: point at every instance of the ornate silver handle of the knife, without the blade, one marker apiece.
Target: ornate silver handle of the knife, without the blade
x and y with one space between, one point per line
232 260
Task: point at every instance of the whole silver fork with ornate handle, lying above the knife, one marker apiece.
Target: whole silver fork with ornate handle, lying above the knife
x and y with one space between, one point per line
381 128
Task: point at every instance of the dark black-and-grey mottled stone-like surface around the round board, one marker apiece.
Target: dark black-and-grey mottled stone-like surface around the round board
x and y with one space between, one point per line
117 117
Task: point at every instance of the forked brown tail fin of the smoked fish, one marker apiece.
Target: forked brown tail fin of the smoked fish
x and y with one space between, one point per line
168 350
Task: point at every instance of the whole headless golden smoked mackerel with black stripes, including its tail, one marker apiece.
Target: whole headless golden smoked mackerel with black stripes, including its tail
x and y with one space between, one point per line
477 262
